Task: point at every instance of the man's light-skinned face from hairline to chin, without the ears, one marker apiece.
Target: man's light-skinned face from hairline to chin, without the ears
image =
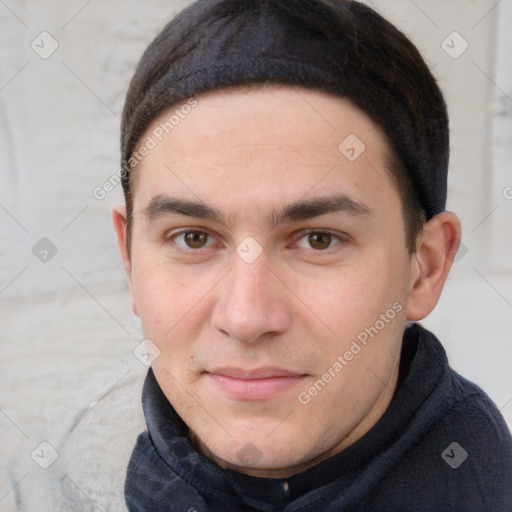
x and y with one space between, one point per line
269 267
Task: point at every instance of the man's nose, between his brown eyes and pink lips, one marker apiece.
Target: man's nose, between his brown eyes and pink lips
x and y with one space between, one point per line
252 304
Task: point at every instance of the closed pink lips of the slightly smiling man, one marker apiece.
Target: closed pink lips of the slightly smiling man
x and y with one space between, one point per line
254 384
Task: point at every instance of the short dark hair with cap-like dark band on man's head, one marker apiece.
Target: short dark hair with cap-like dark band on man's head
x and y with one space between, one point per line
340 47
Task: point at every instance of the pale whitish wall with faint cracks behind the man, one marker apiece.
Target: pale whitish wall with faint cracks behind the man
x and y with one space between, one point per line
68 375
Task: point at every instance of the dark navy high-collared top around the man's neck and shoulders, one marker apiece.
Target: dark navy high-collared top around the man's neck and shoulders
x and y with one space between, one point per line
441 445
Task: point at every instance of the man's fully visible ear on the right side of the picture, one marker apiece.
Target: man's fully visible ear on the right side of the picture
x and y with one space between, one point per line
436 248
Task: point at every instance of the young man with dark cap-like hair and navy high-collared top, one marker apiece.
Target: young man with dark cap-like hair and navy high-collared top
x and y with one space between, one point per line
285 180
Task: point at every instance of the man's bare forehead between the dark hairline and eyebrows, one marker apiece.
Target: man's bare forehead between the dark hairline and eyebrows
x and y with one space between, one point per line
263 144
